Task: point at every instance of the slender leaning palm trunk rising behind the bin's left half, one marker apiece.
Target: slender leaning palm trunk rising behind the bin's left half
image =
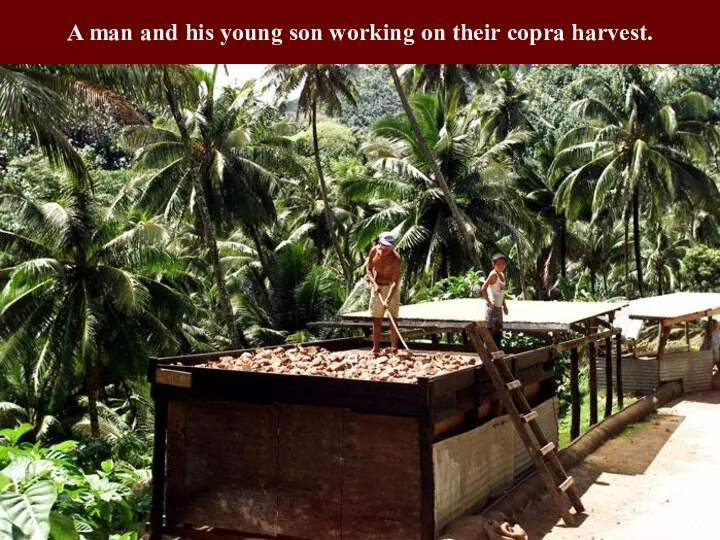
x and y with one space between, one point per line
234 333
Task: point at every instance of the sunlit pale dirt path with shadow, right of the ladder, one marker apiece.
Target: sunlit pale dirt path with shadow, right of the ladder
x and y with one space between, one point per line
658 480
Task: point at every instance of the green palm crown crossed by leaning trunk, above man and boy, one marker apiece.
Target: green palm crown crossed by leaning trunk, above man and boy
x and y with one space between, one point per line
474 175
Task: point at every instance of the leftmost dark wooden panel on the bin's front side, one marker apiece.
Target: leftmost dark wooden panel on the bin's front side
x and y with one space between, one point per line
231 466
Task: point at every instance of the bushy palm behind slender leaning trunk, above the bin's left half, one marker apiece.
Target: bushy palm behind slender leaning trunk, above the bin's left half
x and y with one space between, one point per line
237 155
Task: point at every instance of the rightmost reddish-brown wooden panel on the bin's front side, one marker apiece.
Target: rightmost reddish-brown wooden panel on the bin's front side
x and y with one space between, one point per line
381 478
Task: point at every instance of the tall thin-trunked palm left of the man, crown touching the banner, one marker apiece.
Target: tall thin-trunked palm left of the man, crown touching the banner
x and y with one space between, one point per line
321 85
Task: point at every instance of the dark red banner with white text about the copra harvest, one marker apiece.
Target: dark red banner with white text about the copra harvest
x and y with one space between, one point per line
611 31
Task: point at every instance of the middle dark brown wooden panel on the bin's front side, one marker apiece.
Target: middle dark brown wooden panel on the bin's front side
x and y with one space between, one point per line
310 472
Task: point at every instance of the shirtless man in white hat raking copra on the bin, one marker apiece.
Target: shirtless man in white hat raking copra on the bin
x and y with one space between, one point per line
383 273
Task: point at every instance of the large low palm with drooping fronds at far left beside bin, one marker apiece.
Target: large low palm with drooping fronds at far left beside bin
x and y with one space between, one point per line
86 297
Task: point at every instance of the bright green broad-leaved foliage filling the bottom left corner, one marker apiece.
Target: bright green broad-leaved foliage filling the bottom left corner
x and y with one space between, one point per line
46 493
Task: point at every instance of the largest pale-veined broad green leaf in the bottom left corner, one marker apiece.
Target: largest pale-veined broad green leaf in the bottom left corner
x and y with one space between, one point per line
30 510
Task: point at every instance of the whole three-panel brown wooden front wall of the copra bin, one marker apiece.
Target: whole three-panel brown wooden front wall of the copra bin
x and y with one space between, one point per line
304 472
